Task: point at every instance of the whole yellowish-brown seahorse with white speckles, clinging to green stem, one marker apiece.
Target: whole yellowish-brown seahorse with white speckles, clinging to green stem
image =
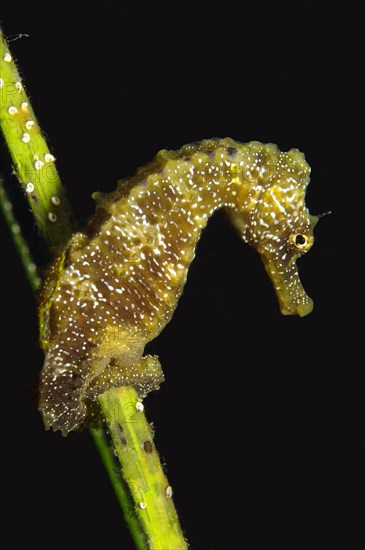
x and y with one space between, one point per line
116 285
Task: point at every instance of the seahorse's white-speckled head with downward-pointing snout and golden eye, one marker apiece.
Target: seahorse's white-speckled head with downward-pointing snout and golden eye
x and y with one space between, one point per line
280 228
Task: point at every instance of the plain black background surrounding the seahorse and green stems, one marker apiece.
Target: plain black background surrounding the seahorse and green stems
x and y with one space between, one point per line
259 420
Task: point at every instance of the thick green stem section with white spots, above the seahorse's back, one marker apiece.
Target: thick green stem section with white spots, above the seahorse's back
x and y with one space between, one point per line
33 163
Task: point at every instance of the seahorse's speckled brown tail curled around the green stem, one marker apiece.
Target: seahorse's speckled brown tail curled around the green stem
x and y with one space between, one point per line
70 385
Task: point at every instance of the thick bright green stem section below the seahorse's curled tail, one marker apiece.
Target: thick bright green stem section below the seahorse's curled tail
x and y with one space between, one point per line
142 470
